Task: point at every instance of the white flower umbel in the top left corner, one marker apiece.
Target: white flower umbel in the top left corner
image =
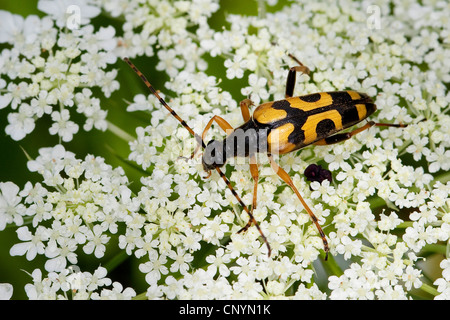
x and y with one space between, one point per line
45 65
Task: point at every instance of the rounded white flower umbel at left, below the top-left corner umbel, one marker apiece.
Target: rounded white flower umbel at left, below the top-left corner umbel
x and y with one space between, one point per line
78 206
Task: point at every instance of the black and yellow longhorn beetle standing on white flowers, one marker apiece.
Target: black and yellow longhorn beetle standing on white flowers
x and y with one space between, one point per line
280 127
